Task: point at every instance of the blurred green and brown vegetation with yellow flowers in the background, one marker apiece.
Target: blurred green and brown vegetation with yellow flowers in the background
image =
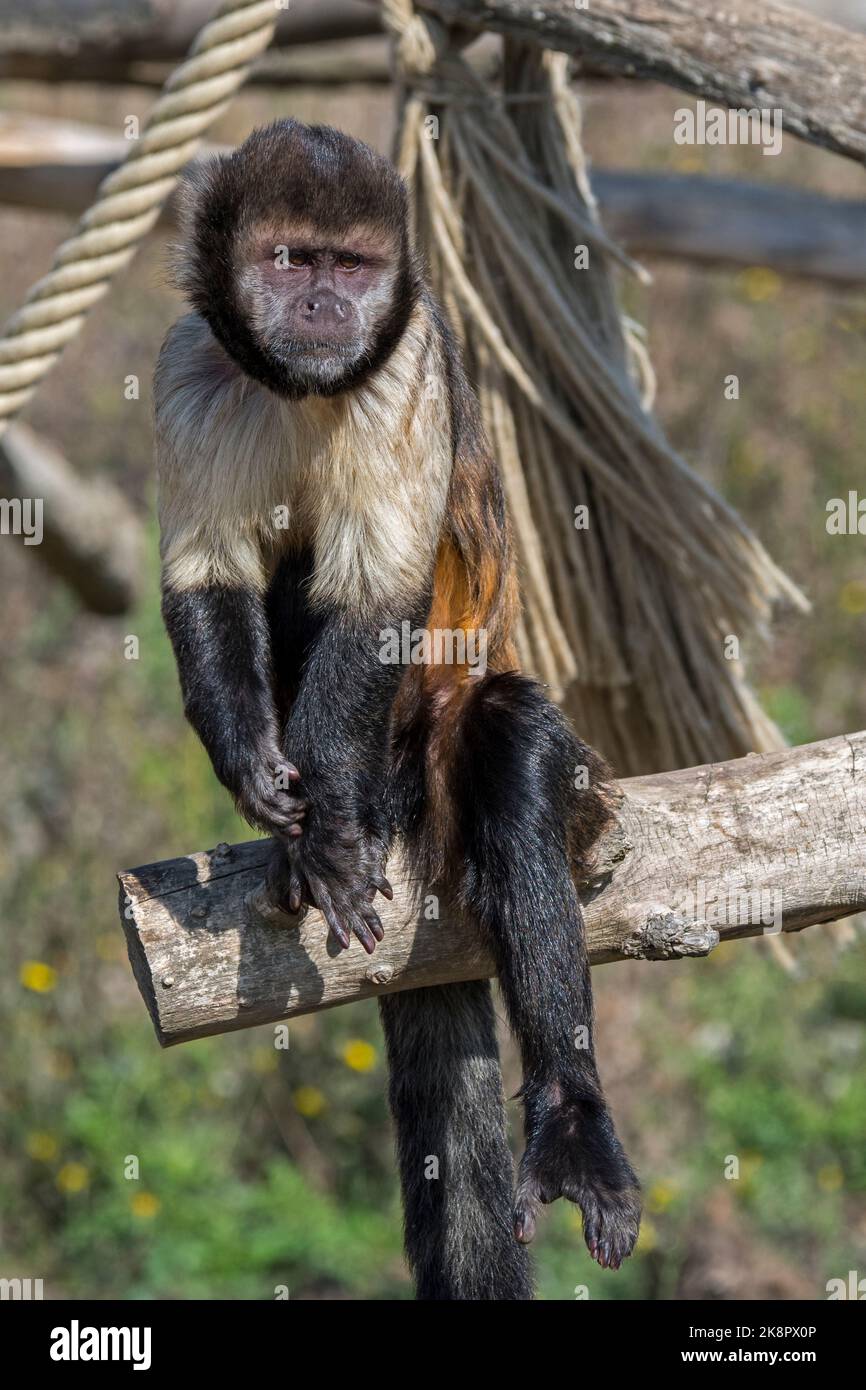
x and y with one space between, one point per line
261 1168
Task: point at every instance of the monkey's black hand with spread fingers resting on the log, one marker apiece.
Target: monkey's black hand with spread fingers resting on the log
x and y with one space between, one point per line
340 876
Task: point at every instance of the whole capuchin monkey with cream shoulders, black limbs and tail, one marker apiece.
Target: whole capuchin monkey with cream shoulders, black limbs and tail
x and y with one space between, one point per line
323 480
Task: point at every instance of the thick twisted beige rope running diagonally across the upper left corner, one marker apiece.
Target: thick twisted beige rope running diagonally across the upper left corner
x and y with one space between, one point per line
131 198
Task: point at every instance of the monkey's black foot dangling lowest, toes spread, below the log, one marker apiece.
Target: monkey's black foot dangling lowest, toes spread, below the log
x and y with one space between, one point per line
580 1159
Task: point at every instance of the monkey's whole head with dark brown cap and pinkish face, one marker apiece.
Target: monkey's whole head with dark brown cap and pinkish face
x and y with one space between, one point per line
298 256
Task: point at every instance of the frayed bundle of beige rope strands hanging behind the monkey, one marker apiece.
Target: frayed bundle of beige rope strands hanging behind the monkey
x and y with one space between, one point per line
628 618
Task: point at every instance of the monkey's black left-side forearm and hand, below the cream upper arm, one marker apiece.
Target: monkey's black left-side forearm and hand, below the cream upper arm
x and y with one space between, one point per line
222 646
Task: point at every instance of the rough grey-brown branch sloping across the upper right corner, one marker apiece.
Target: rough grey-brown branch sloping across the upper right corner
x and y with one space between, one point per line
742 54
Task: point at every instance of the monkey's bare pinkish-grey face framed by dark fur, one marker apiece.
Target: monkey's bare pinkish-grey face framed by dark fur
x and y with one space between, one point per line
318 302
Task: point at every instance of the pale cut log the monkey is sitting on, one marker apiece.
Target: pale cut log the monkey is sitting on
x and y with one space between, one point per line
765 843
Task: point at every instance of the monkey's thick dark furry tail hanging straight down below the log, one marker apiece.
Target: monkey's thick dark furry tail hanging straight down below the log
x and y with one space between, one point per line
457 1172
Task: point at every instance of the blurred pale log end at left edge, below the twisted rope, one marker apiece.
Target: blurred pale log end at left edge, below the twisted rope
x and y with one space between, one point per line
91 539
